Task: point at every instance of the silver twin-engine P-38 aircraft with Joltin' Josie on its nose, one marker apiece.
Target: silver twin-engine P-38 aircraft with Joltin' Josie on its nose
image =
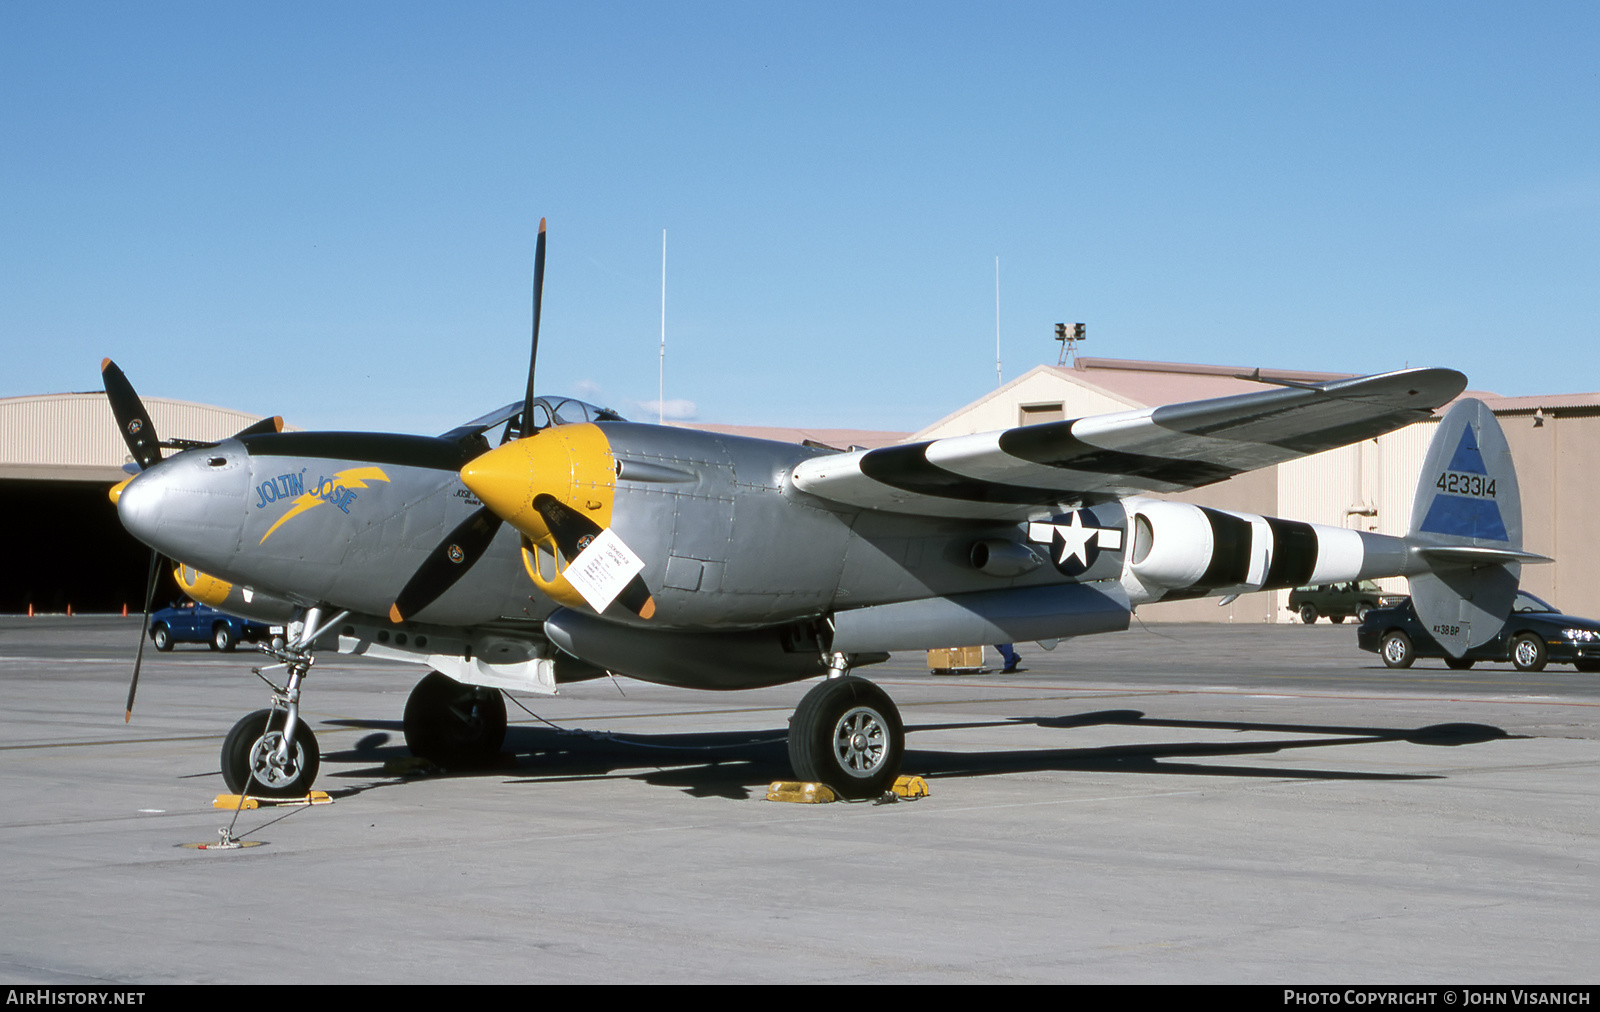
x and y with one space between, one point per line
582 544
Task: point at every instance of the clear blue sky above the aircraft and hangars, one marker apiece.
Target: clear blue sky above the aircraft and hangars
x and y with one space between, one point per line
329 212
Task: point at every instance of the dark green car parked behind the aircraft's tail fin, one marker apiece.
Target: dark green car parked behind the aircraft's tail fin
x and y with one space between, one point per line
1534 637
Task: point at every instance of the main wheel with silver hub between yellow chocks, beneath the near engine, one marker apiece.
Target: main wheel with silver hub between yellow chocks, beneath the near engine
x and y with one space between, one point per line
847 734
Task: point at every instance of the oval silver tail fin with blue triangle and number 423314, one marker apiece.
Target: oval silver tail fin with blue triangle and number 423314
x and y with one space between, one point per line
1466 524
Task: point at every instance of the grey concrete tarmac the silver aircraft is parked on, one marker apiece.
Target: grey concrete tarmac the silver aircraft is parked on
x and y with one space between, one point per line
1255 805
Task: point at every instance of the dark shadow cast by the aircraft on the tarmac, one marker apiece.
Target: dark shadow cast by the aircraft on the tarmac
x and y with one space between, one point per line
740 765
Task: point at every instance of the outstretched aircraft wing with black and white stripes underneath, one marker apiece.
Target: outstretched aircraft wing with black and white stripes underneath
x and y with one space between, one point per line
1033 470
